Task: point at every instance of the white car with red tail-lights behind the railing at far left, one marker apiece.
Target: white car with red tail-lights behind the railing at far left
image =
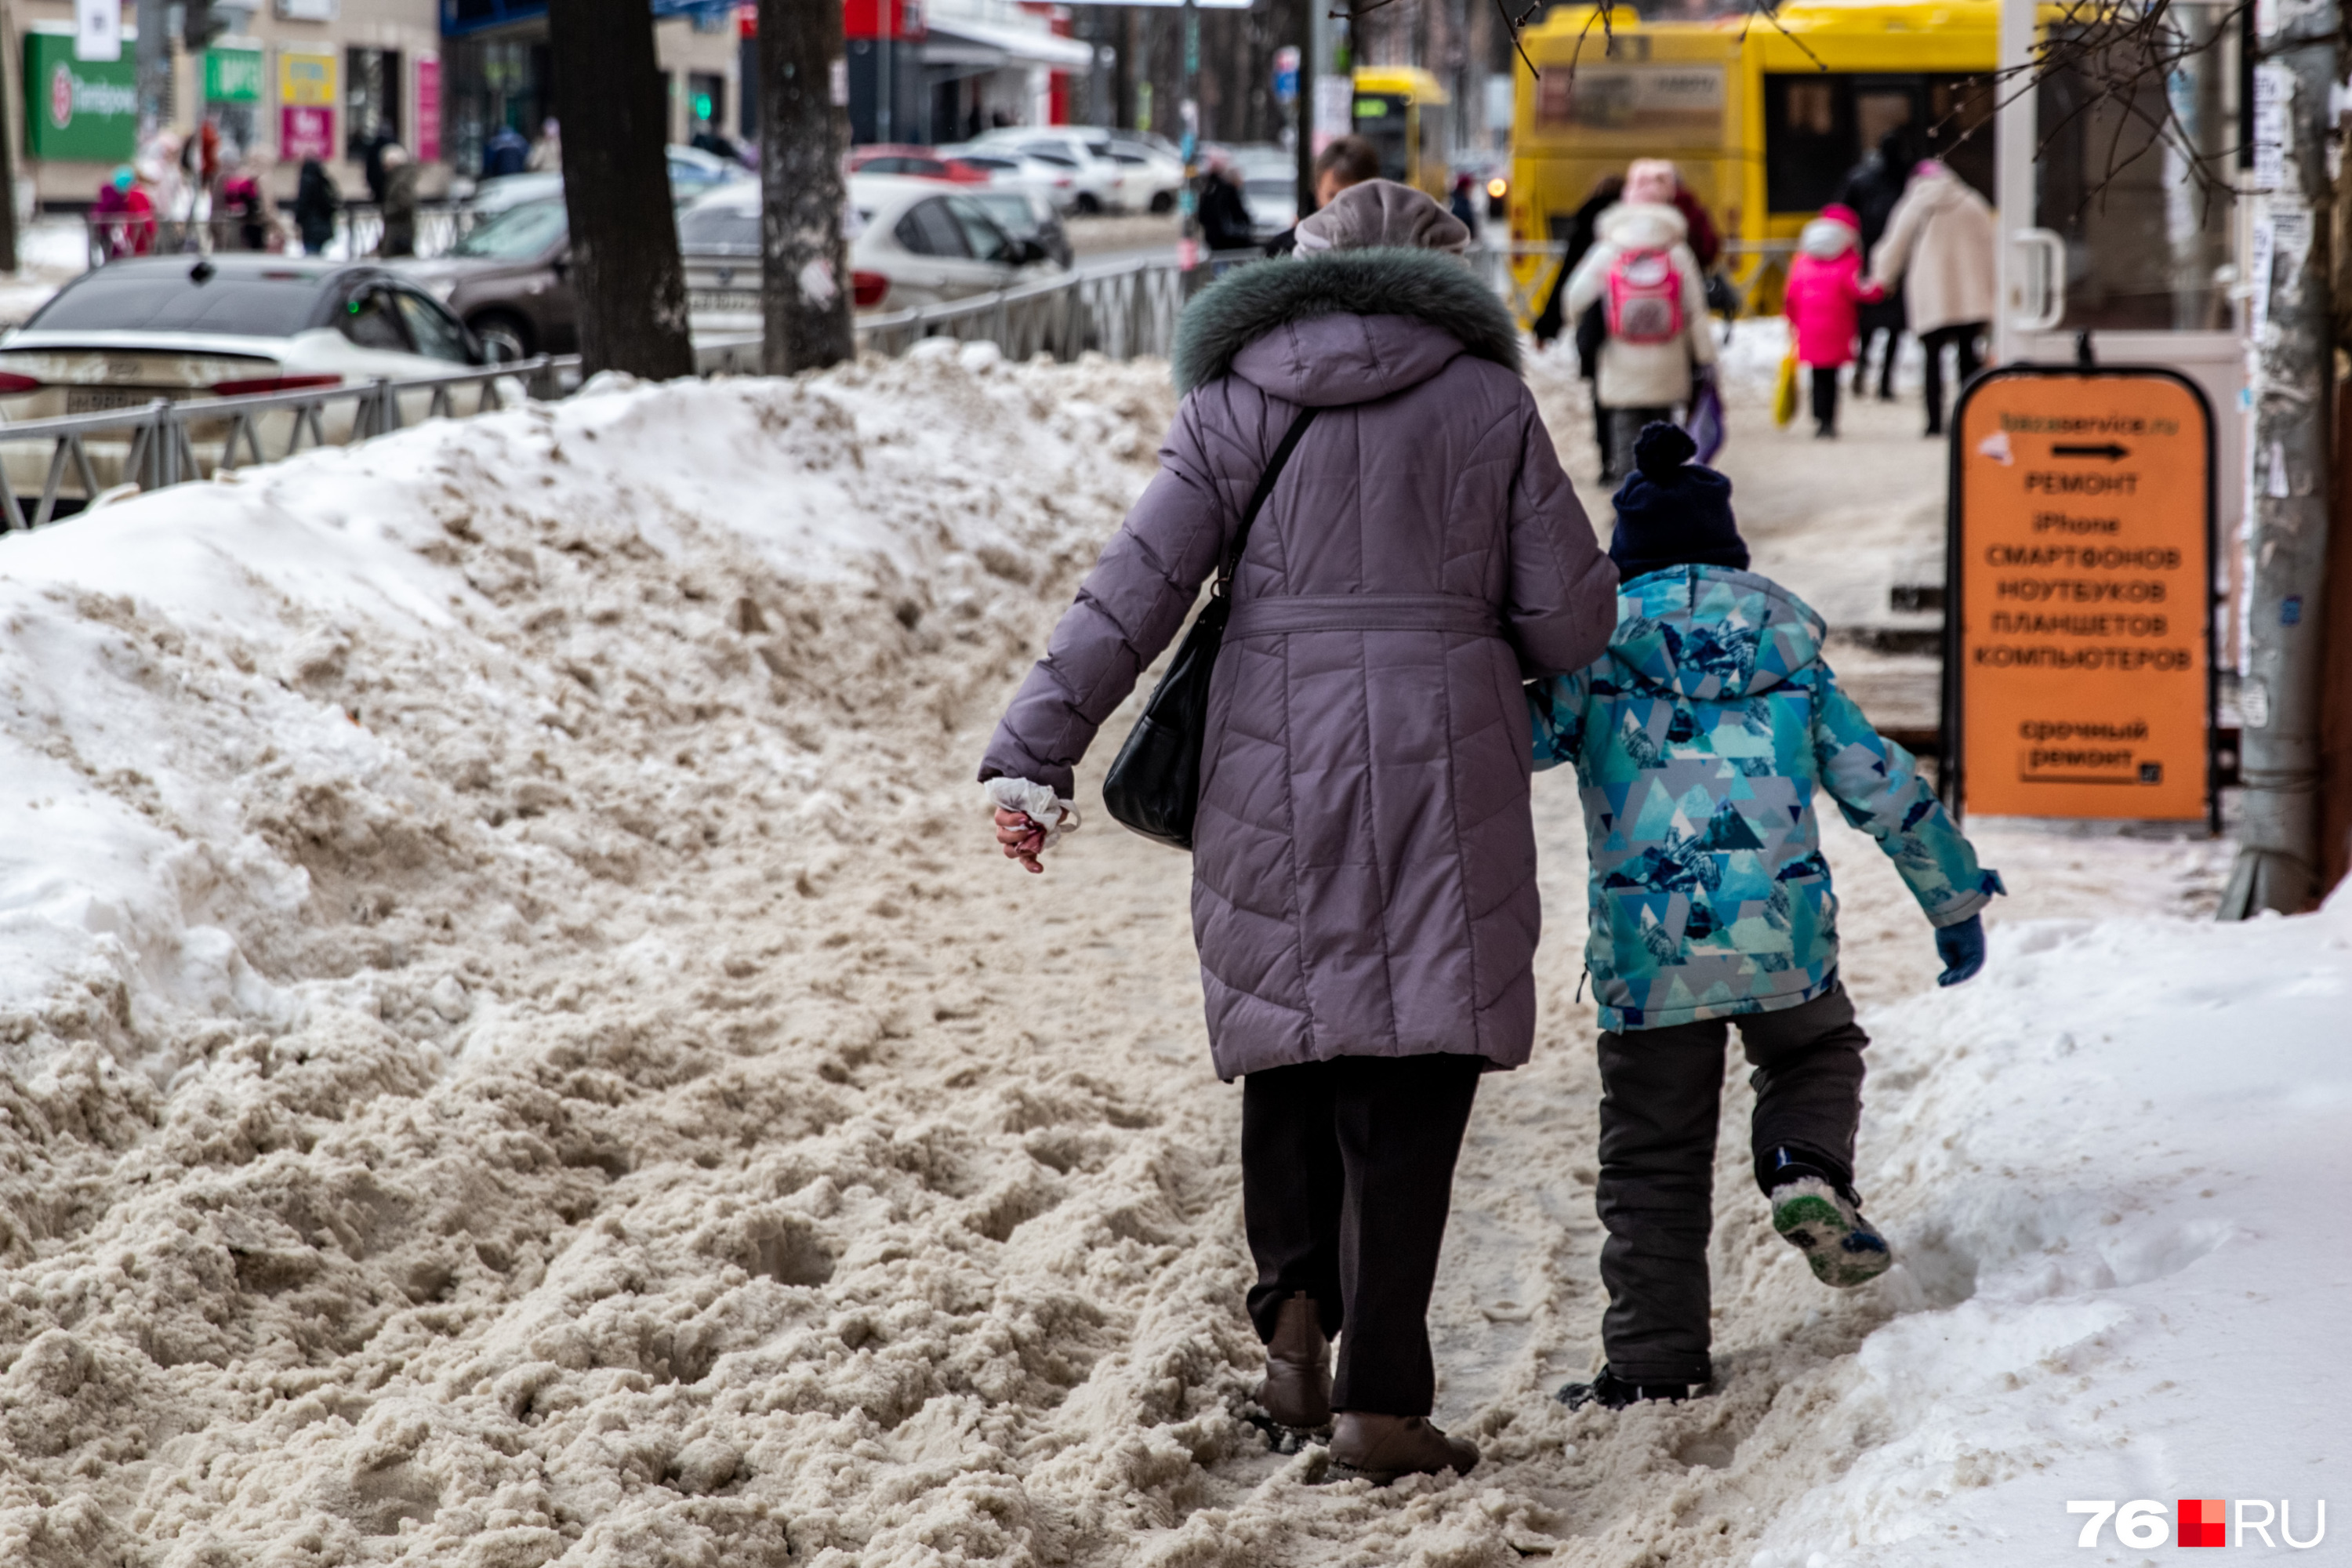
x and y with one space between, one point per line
201 328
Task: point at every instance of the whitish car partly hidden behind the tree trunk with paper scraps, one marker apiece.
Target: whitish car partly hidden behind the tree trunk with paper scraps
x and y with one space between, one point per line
914 243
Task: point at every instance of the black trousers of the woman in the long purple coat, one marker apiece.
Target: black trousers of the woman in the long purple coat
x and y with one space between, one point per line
1347 1184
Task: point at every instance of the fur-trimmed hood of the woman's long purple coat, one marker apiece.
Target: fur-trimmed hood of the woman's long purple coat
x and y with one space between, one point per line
1342 328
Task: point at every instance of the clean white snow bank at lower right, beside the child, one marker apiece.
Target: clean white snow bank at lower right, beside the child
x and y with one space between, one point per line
2118 1165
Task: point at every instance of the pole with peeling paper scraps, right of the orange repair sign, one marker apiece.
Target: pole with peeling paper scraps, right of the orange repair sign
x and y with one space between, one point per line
2287 518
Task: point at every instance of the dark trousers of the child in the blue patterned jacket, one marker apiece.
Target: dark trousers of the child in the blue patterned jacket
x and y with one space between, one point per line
1662 1094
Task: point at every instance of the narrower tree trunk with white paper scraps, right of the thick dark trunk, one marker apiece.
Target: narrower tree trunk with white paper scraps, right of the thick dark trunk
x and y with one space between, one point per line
803 140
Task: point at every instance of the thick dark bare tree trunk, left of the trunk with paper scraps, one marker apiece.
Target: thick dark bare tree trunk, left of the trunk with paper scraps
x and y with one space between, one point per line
617 189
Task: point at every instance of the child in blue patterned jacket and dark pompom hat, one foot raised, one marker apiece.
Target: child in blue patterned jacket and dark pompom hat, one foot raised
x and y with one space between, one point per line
1699 744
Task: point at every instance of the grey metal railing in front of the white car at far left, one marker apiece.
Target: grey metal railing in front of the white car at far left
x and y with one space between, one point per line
175 441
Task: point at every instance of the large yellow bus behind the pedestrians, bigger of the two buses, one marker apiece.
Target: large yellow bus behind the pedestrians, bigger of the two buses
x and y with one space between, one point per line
1763 121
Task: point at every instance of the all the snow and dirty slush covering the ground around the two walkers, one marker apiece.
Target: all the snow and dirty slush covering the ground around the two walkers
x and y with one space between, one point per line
521 1050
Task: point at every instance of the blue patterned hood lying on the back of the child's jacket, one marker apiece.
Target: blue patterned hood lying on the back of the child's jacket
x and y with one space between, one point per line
1713 634
